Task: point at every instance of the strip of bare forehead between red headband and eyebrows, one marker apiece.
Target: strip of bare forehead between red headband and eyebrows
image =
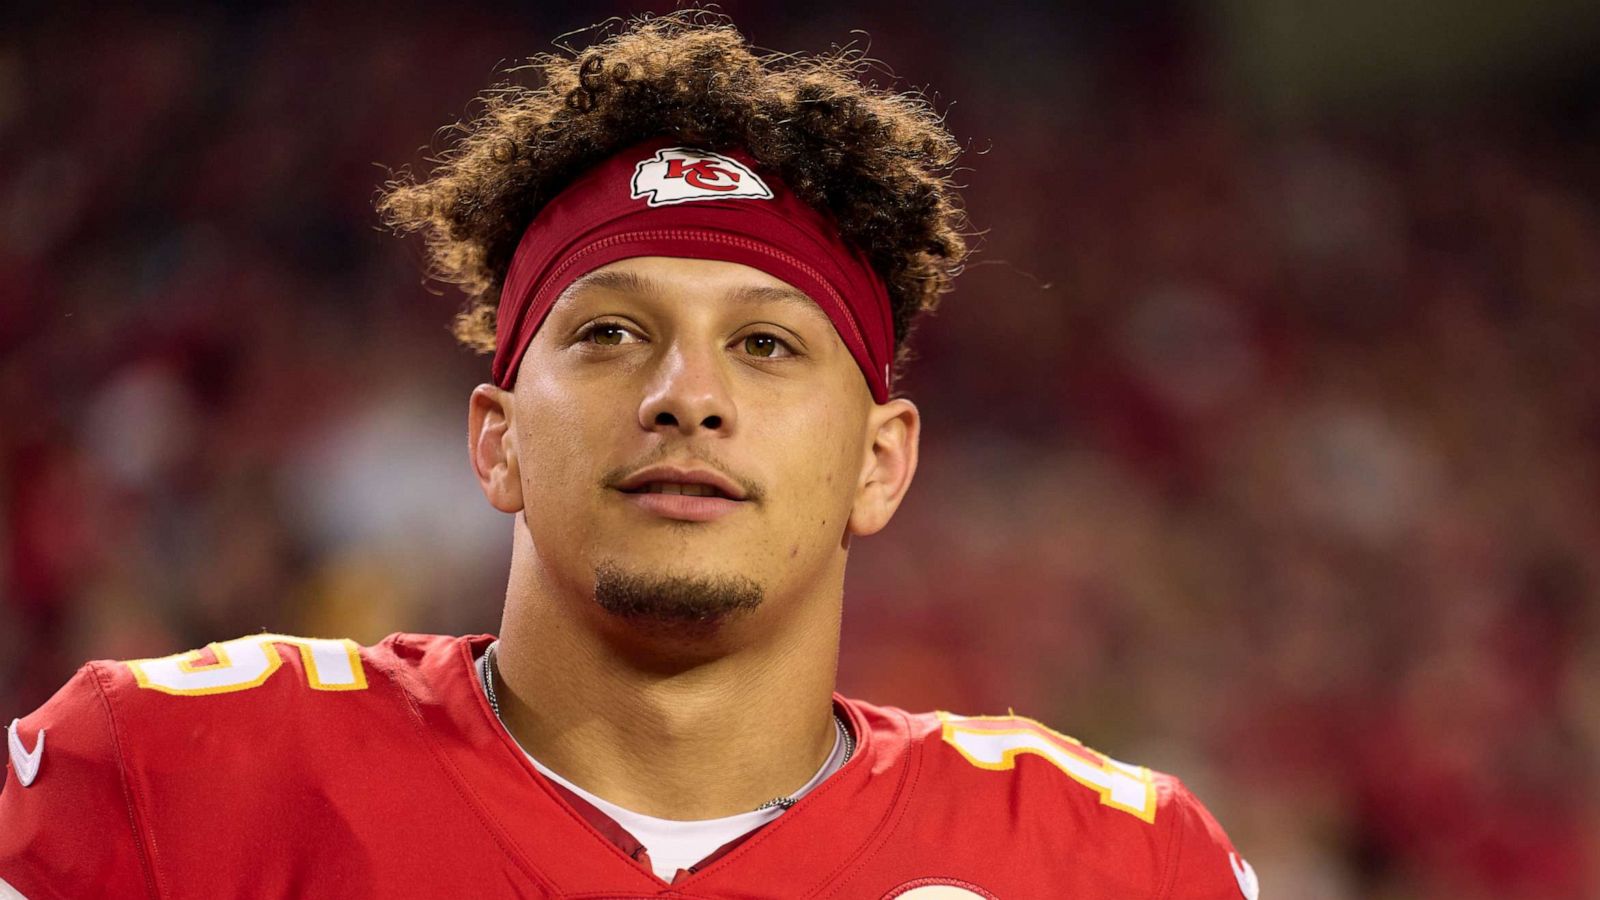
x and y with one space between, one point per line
678 279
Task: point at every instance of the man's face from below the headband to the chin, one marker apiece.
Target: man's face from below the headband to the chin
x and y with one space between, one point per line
702 371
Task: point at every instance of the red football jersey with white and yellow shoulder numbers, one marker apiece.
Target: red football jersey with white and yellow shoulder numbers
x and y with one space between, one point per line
276 766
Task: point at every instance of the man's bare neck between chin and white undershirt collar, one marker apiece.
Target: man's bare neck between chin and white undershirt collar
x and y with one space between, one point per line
670 725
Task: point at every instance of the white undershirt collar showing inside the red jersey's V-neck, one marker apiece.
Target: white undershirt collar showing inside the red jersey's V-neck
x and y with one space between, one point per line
674 845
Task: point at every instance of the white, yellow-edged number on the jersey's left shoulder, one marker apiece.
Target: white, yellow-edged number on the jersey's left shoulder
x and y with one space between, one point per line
249 662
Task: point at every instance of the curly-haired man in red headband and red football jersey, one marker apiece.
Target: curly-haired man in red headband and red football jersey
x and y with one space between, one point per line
695 268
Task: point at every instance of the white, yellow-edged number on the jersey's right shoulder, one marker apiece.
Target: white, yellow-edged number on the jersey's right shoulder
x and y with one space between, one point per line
994 742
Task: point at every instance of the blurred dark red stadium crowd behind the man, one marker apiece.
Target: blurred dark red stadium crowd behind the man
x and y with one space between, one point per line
1262 435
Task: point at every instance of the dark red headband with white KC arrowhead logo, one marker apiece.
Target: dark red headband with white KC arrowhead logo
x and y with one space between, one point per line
658 199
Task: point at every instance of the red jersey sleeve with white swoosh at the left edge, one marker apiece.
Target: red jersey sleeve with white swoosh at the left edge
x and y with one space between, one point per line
68 822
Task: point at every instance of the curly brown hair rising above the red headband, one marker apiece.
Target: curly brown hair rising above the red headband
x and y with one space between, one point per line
882 164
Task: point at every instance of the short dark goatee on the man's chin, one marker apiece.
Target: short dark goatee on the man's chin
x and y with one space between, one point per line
674 601
